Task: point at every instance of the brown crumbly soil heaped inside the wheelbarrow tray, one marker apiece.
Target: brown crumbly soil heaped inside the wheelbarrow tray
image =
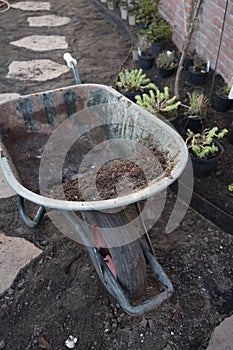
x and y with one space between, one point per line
119 177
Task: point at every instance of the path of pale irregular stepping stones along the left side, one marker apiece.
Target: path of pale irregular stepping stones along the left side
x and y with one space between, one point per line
23 251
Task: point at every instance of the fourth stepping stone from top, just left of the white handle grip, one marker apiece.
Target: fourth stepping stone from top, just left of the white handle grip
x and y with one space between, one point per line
36 70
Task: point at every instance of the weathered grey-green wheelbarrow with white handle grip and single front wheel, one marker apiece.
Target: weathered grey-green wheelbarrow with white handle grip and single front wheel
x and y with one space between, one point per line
39 132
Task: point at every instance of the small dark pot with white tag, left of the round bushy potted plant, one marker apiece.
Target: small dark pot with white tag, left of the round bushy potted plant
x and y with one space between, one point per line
145 57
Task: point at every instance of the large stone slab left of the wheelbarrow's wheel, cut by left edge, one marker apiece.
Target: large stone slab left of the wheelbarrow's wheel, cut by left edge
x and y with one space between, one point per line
15 253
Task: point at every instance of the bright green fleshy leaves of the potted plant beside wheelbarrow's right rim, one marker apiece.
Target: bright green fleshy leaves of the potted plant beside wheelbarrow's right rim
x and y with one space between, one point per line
202 144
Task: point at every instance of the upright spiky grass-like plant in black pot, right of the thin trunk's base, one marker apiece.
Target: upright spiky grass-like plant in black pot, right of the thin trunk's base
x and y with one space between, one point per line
196 110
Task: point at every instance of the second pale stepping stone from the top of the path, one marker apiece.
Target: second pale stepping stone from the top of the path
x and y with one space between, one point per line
47 21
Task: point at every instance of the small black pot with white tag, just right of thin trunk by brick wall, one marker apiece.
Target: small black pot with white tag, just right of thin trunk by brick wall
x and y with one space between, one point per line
198 71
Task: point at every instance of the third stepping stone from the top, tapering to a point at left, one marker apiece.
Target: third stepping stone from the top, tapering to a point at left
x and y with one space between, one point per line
42 42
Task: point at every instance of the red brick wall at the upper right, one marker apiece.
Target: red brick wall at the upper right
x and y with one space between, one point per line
207 34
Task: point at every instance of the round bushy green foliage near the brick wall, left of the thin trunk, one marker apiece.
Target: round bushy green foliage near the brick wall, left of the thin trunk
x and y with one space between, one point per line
159 30
